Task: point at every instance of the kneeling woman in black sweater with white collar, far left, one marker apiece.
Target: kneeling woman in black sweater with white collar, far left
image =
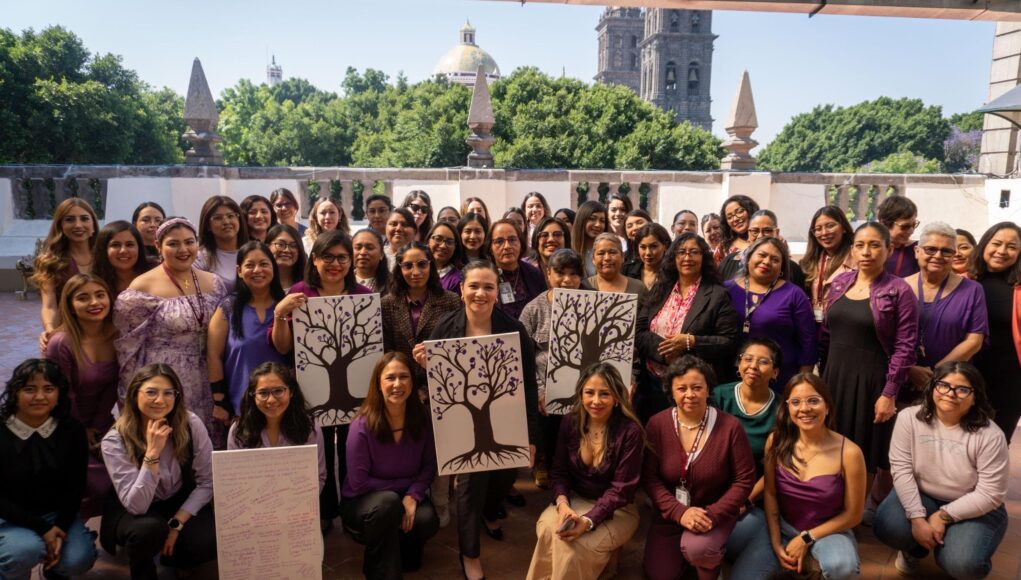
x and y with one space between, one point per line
44 454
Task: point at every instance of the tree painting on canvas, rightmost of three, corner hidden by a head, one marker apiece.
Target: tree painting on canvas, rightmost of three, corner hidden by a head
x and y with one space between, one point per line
587 328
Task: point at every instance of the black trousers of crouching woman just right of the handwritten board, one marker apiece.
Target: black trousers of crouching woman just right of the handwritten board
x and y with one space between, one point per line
375 520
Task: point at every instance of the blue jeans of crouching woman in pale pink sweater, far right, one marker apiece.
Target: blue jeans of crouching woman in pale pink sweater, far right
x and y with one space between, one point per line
968 546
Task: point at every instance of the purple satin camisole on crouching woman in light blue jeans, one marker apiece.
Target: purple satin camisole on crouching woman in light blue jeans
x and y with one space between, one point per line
806 505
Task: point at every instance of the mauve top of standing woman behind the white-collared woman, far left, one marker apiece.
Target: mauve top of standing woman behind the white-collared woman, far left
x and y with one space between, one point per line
93 385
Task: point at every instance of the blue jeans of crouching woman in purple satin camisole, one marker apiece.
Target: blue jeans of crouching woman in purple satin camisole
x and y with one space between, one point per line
837 555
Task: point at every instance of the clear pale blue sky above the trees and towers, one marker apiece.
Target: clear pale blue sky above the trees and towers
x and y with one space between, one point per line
795 63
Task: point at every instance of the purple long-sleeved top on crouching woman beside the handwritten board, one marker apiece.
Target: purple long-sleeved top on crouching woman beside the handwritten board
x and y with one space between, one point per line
407 467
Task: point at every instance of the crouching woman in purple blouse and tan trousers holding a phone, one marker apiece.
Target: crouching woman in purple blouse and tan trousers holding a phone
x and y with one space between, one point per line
596 474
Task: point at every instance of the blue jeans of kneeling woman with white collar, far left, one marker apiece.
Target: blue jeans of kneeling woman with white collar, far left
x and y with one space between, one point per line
22 550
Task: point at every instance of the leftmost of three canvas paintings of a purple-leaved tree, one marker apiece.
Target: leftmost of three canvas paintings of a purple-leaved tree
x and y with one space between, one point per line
337 342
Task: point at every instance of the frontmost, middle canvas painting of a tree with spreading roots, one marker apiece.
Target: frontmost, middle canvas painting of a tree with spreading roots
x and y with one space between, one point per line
477 400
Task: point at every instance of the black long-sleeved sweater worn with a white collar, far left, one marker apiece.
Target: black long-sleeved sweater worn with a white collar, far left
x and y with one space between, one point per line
42 476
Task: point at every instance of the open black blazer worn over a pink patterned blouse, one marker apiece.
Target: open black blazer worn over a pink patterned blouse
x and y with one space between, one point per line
712 320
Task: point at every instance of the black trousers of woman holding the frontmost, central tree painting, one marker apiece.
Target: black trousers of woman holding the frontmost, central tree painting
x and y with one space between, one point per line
479 495
